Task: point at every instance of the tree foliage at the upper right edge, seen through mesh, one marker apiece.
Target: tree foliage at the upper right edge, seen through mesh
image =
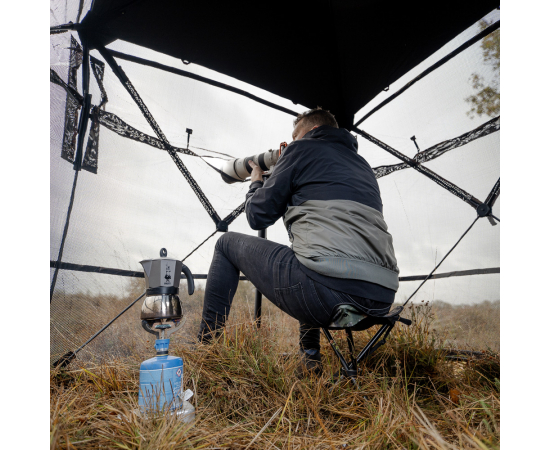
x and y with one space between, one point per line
486 100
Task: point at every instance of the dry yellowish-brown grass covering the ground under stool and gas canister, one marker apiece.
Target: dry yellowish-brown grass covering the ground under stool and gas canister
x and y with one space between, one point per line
247 397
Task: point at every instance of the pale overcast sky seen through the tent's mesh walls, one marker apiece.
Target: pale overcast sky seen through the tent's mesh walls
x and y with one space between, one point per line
139 202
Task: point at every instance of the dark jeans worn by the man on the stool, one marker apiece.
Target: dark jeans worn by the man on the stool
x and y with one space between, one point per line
275 271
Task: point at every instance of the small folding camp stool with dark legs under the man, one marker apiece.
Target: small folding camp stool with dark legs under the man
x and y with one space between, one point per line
347 317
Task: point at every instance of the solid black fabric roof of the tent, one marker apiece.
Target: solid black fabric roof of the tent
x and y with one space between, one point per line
338 55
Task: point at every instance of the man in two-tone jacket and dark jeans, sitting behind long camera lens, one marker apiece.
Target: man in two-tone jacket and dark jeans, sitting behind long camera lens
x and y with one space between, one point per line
341 250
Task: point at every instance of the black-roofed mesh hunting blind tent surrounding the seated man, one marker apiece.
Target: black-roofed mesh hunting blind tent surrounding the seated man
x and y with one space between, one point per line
148 99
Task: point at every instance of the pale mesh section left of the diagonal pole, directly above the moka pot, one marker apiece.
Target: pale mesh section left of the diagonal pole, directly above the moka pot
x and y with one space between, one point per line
137 204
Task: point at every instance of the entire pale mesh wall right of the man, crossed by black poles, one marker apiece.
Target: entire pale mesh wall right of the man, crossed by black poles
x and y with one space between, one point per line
425 219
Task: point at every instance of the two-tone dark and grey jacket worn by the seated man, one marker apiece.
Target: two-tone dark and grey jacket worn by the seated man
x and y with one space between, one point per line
332 209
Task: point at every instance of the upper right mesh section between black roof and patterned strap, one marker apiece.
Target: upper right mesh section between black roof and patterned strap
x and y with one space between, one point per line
432 98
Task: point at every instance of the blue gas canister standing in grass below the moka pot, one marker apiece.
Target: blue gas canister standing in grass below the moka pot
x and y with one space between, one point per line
160 380
